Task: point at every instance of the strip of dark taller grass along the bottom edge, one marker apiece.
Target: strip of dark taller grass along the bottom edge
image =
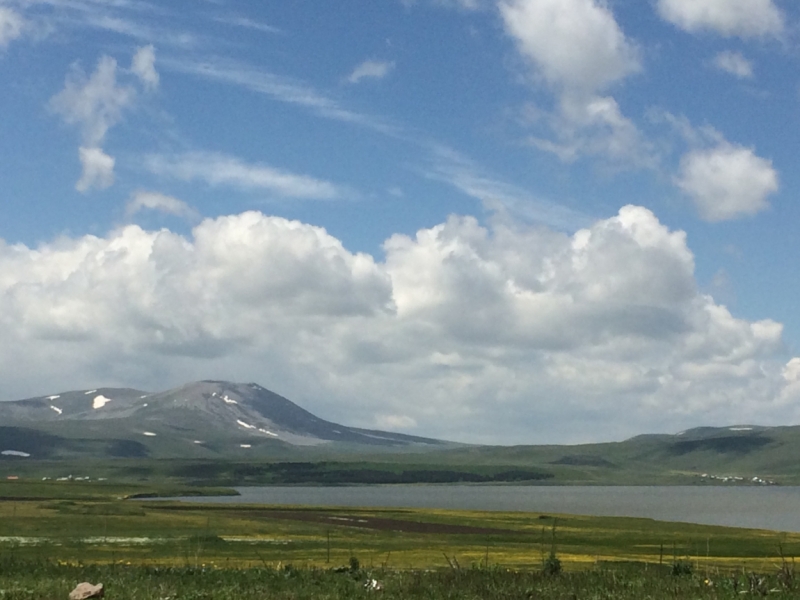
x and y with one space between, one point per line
23 580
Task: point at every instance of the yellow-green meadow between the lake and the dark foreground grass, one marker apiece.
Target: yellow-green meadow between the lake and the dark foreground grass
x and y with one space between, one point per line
95 526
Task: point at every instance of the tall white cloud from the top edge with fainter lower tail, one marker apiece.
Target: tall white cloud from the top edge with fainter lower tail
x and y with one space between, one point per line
585 121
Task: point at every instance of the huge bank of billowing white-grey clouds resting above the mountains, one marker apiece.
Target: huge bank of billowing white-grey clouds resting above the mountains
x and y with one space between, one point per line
508 334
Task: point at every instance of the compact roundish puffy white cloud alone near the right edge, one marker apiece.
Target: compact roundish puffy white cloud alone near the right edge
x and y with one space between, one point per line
727 181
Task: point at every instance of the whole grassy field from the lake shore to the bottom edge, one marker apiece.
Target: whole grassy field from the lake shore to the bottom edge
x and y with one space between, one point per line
55 534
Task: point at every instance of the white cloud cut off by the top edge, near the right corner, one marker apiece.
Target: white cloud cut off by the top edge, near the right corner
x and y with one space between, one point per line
744 18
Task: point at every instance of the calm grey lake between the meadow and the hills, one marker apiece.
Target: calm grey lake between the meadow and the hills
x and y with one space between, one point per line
774 507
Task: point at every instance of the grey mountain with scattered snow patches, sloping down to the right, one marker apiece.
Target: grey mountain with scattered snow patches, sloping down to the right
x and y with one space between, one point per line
205 419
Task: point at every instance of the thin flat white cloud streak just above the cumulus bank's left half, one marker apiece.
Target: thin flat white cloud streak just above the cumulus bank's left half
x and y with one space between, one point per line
218 169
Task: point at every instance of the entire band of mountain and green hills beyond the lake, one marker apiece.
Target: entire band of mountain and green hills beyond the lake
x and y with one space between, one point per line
243 433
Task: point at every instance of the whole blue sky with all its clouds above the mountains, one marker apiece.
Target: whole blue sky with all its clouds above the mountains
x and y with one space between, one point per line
490 221
